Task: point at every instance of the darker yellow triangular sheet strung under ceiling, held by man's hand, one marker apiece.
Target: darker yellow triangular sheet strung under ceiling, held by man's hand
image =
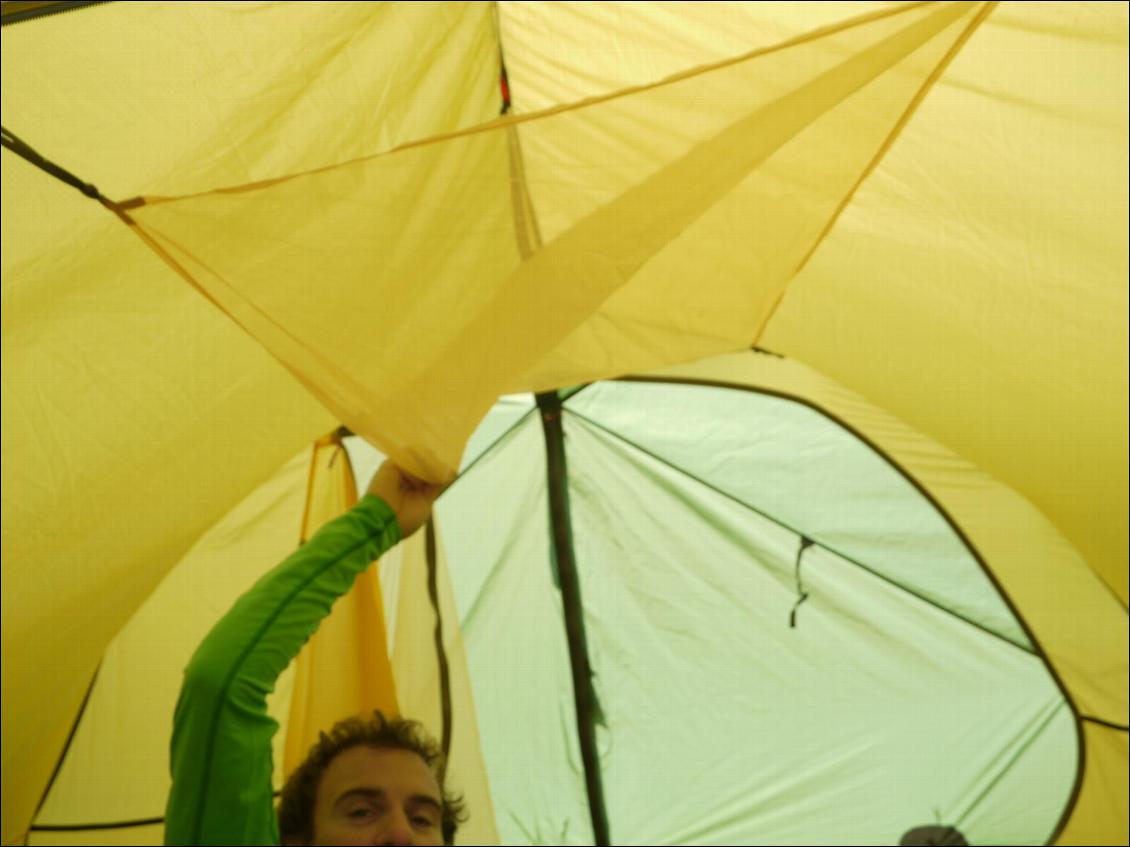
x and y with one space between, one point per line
623 239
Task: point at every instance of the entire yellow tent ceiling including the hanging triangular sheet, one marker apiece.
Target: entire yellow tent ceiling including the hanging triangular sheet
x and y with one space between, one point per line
924 202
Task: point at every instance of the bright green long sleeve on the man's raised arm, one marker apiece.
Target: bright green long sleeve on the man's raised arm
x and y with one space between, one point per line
222 765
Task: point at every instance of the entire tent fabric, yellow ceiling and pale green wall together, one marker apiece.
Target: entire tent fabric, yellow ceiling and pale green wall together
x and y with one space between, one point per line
925 204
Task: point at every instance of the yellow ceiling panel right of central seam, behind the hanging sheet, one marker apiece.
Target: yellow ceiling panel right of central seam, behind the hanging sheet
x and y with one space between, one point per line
1003 188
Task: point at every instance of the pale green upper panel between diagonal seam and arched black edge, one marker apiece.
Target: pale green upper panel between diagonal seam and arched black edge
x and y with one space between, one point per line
806 484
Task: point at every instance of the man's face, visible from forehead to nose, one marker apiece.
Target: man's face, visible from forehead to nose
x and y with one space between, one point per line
378 797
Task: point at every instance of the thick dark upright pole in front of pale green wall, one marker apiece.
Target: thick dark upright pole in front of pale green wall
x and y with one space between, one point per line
585 696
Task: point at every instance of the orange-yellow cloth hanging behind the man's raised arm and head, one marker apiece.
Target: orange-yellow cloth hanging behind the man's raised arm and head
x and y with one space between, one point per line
350 667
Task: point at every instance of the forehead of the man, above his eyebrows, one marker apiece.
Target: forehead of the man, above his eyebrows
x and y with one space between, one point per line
384 771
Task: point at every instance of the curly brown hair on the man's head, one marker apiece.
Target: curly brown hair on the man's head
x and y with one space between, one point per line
297 804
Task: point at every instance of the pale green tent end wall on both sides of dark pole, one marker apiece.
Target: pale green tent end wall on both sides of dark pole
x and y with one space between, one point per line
771 734
